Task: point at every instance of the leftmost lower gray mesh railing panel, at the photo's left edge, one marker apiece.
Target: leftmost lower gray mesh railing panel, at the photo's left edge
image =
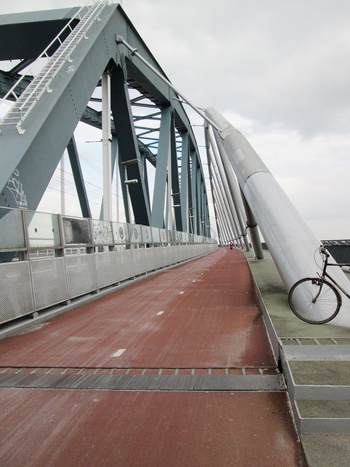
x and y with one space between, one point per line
16 298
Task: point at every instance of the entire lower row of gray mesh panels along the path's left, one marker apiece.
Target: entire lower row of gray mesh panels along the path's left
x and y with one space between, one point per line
56 280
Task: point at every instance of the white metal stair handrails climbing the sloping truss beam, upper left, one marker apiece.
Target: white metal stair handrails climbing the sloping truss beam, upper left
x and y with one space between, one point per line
26 101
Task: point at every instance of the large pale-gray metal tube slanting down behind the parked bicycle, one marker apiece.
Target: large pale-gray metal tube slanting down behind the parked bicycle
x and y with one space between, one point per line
291 242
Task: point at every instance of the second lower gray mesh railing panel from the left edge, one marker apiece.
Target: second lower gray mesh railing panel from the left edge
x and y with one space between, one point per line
49 282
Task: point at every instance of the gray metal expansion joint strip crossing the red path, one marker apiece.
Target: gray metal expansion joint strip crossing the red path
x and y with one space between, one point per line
142 381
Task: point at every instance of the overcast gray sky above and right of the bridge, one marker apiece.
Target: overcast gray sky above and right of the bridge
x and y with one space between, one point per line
279 70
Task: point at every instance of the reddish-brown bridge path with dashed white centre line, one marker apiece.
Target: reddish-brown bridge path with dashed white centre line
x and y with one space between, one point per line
173 370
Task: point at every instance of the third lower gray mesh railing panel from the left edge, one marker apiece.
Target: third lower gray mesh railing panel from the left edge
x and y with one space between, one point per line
81 274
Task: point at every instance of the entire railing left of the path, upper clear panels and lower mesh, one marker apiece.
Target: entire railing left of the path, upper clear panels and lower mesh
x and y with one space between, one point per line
49 260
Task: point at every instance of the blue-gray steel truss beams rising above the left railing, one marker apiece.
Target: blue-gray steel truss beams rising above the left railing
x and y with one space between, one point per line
32 148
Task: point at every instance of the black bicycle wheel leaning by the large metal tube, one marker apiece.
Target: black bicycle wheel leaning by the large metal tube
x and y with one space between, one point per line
302 300
